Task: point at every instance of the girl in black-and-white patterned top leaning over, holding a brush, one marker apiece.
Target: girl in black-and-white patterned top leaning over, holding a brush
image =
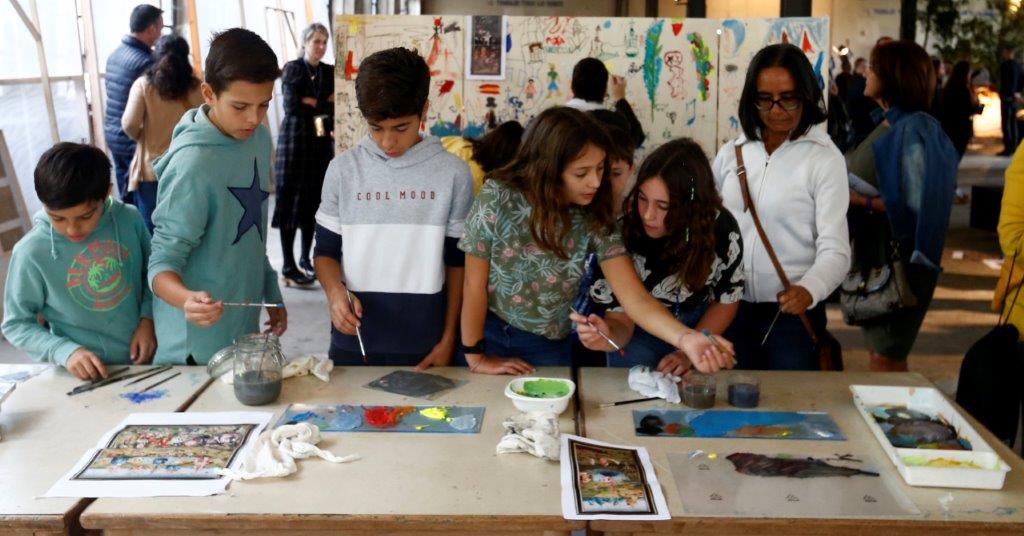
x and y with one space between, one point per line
688 251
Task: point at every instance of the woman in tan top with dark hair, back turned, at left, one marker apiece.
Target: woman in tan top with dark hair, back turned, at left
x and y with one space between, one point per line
156 104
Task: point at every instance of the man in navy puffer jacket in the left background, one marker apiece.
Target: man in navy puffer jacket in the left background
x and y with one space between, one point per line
127 63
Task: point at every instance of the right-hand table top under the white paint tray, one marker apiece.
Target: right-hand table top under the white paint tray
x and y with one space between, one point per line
971 511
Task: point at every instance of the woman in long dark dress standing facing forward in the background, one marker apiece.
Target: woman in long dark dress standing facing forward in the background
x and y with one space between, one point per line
306 147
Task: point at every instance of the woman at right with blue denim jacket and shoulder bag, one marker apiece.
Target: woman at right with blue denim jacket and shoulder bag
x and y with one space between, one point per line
900 233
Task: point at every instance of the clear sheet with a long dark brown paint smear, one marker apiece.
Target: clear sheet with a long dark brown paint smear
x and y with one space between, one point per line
787 485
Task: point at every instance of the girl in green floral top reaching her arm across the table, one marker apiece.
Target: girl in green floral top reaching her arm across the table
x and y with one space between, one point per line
528 237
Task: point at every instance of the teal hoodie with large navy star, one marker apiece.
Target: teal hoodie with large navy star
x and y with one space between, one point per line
210 228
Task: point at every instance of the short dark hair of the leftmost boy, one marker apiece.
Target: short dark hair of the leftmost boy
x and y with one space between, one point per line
69 175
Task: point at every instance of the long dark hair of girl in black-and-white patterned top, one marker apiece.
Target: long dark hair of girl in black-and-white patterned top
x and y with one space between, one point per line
694 205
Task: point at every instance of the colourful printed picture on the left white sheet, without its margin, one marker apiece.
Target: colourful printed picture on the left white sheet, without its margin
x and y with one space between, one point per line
167 452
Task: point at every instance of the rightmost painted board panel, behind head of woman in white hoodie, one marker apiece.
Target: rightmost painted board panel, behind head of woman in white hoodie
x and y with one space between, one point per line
742 39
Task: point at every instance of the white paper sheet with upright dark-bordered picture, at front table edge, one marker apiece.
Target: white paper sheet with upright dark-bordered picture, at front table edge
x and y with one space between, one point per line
602 481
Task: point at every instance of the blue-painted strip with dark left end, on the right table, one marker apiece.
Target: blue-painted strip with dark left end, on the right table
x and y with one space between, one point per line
745 425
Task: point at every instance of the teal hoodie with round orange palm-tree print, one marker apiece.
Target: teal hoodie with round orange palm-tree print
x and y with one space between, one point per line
93 294
